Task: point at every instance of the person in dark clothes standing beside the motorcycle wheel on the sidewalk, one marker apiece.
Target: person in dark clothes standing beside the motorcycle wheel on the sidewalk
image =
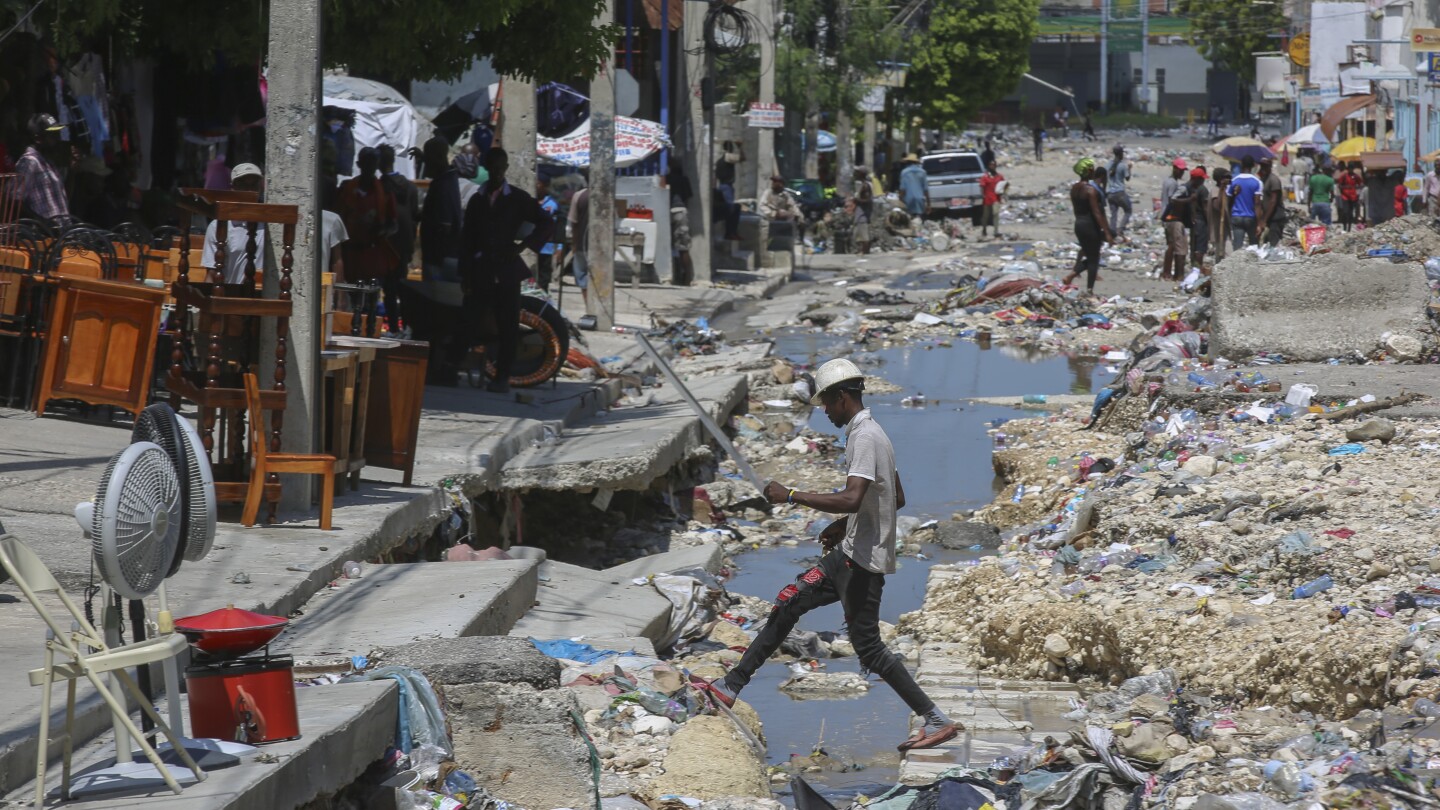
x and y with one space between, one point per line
500 221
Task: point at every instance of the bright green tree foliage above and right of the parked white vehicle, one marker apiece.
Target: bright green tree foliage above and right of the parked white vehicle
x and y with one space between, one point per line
970 55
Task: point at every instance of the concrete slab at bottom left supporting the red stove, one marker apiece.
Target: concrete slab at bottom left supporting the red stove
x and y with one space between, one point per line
345 729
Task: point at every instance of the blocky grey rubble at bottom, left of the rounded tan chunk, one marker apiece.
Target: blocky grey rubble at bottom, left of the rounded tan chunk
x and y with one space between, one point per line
522 744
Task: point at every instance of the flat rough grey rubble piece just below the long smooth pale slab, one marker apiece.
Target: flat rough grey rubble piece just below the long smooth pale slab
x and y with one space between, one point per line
477 659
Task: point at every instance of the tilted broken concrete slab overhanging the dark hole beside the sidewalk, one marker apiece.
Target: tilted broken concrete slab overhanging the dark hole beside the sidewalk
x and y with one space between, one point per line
624 449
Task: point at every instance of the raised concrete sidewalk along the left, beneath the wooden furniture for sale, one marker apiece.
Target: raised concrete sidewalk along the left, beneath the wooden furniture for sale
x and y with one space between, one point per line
48 466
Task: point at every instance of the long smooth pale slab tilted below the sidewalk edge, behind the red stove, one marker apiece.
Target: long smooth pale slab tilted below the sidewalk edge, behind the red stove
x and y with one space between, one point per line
398 605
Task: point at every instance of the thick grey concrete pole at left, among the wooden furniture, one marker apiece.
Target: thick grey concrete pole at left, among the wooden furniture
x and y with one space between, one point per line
293 178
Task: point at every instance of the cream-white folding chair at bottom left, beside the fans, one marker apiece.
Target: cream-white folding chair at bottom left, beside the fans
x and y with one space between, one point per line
81 652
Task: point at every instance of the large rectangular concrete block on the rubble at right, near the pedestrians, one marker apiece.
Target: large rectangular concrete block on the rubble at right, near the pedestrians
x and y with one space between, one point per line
1315 309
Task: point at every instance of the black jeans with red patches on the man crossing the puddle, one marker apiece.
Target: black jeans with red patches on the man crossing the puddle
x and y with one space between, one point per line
858 590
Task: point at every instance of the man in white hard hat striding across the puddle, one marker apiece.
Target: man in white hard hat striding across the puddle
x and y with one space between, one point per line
860 550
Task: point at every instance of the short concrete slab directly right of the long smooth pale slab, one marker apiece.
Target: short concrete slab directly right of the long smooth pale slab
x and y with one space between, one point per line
577 602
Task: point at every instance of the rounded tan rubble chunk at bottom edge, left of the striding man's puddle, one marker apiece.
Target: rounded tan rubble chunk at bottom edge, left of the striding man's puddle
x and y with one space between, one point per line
711 760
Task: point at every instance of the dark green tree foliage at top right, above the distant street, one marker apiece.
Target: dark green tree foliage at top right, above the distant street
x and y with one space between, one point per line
1230 32
